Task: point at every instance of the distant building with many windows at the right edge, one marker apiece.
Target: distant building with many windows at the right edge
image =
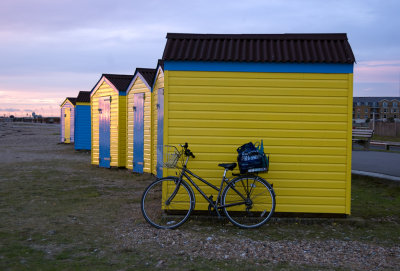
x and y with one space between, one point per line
384 109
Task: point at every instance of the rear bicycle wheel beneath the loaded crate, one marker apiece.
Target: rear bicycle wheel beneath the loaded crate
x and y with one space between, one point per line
249 201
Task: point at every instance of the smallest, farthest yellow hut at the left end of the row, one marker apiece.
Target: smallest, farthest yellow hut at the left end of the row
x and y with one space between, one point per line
68 120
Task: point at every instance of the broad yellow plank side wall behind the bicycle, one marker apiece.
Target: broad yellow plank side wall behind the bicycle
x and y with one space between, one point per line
304 120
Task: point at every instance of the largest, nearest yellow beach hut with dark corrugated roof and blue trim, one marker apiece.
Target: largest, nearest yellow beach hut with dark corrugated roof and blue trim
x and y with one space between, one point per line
293 91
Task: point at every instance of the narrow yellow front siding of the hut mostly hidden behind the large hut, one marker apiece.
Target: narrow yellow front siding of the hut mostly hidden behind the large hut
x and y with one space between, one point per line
159 83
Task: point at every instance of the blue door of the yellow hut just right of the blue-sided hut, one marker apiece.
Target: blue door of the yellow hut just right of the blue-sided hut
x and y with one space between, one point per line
104 132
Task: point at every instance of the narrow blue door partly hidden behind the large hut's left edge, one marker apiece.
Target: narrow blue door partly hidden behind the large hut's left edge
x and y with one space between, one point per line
160 131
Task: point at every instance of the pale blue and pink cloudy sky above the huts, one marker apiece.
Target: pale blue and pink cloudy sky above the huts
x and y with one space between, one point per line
51 49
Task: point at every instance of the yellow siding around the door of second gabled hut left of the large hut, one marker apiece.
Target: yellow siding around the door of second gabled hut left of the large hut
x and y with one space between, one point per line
139 87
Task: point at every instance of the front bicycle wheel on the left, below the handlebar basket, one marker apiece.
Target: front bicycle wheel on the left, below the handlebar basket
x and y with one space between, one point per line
165 205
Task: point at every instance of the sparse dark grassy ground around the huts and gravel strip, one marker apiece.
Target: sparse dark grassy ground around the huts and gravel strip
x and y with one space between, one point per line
62 214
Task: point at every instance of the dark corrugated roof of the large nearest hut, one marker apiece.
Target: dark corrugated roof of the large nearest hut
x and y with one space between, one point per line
299 48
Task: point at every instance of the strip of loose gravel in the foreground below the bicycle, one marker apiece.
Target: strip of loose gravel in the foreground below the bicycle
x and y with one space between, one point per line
346 254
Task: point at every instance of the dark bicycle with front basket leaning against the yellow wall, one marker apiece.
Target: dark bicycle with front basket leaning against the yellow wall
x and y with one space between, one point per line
248 201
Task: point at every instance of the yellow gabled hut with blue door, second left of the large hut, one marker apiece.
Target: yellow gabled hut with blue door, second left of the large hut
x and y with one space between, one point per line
139 143
